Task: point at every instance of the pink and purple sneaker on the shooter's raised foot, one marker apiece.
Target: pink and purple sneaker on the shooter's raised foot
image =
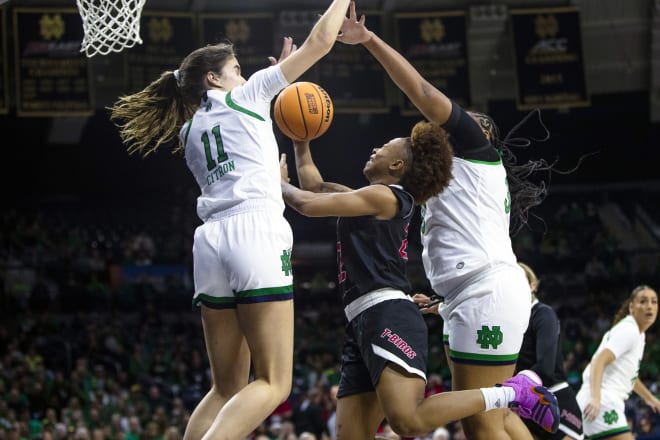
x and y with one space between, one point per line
534 401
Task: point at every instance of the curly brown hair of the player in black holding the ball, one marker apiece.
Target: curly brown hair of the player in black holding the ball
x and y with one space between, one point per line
432 155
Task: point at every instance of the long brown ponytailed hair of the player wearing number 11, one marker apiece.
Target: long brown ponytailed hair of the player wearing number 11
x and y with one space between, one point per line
153 116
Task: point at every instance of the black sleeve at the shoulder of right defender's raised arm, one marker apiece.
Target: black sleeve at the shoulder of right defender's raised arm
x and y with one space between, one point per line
466 137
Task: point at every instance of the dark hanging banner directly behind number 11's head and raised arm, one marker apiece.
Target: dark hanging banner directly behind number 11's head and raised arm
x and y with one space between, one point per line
251 35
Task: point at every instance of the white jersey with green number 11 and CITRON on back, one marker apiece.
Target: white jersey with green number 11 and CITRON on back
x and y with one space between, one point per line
230 146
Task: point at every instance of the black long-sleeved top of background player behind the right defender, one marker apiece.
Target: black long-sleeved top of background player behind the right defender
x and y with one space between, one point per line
541 350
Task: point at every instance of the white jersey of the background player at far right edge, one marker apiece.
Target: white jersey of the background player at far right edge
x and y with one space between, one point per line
627 343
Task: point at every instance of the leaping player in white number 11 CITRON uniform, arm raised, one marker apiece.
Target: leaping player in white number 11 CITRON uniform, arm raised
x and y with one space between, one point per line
241 253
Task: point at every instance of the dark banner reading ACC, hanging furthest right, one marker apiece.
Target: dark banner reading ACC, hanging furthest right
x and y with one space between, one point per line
549 63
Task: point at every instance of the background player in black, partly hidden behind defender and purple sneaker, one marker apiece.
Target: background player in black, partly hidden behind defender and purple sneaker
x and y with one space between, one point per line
541 352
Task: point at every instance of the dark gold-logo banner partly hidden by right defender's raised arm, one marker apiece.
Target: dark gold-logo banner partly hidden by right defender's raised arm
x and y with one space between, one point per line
435 43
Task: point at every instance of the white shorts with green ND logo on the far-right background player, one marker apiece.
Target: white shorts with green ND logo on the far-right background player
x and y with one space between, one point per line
611 419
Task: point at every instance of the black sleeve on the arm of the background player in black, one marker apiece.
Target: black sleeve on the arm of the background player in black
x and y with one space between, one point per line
546 329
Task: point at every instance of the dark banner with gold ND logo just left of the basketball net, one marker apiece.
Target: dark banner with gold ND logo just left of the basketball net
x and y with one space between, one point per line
53 78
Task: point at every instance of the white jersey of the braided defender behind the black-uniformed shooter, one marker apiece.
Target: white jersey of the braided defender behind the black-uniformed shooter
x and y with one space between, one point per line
466 227
